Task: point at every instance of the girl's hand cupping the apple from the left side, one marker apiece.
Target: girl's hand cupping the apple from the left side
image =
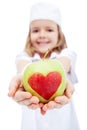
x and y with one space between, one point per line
16 91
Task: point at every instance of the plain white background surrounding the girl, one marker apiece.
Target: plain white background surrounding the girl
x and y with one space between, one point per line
14 24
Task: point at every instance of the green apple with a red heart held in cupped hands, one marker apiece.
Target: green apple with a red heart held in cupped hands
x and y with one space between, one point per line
45 79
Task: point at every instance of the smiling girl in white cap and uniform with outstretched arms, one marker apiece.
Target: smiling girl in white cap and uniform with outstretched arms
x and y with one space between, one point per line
45 34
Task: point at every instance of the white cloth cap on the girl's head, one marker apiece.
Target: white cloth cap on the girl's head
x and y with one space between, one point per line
42 11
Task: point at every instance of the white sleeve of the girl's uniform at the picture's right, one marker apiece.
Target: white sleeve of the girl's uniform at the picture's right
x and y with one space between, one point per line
72 55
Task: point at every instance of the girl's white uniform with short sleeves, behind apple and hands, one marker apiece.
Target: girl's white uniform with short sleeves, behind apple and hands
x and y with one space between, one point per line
57 119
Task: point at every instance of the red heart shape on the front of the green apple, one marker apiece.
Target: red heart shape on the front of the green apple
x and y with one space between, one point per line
47 85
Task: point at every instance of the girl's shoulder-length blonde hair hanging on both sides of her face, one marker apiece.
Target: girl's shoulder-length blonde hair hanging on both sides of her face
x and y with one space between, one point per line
61 44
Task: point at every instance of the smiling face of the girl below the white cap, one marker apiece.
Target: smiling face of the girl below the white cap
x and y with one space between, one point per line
43 35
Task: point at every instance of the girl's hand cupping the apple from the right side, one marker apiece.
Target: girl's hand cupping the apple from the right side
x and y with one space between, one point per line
59 101
